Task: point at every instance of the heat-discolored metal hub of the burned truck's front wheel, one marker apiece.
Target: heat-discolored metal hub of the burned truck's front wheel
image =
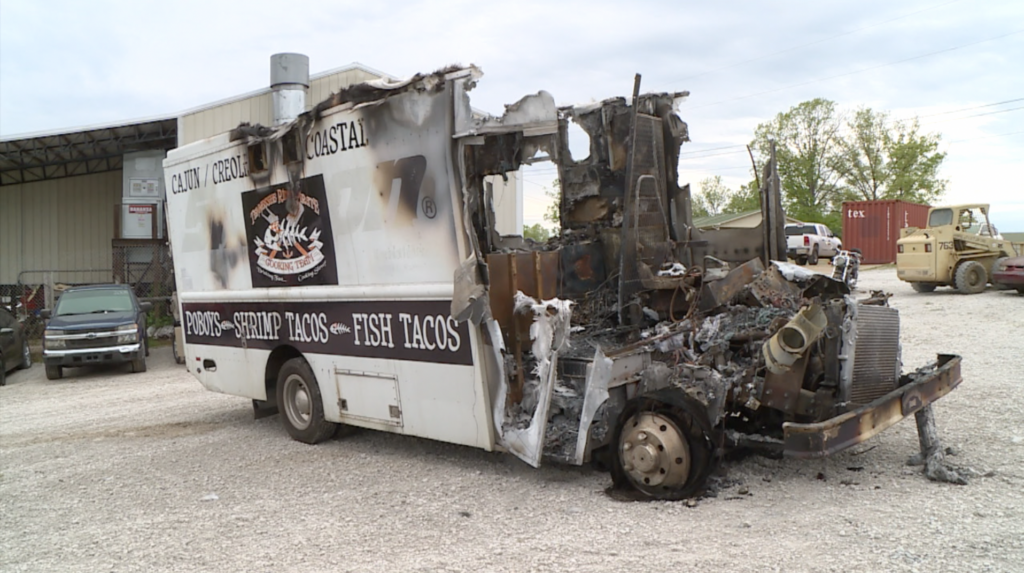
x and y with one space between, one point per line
655 453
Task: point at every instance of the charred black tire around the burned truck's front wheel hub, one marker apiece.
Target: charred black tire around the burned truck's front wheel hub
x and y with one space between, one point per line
691 419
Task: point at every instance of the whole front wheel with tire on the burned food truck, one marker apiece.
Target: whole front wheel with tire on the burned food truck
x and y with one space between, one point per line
662 451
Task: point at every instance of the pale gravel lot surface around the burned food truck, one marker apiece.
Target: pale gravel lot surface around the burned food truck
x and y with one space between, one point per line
122 472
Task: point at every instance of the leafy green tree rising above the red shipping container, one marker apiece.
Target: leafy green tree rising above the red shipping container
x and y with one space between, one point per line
886 160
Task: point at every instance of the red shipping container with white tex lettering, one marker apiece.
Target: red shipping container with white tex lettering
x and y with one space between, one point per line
874 227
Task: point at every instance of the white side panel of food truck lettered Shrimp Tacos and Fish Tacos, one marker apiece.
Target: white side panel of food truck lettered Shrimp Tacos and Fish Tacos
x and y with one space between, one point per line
360 282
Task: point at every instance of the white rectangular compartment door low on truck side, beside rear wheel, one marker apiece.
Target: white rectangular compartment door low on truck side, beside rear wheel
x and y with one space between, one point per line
369 398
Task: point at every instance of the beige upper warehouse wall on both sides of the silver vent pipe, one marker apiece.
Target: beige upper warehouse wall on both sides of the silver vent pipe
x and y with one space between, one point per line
260 108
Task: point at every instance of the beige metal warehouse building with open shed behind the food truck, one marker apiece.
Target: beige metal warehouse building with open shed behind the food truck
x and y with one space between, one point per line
84 205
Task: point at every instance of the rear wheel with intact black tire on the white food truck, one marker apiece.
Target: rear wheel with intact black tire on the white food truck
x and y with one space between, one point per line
301 404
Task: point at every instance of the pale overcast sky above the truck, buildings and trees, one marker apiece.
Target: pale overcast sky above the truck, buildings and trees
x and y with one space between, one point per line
957 65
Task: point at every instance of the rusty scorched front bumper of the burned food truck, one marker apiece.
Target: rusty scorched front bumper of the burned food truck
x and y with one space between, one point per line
849 429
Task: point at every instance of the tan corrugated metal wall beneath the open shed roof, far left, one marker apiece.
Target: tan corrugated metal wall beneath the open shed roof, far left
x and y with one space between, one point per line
63 225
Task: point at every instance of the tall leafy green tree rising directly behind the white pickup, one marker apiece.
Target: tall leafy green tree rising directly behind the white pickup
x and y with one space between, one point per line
808 146
